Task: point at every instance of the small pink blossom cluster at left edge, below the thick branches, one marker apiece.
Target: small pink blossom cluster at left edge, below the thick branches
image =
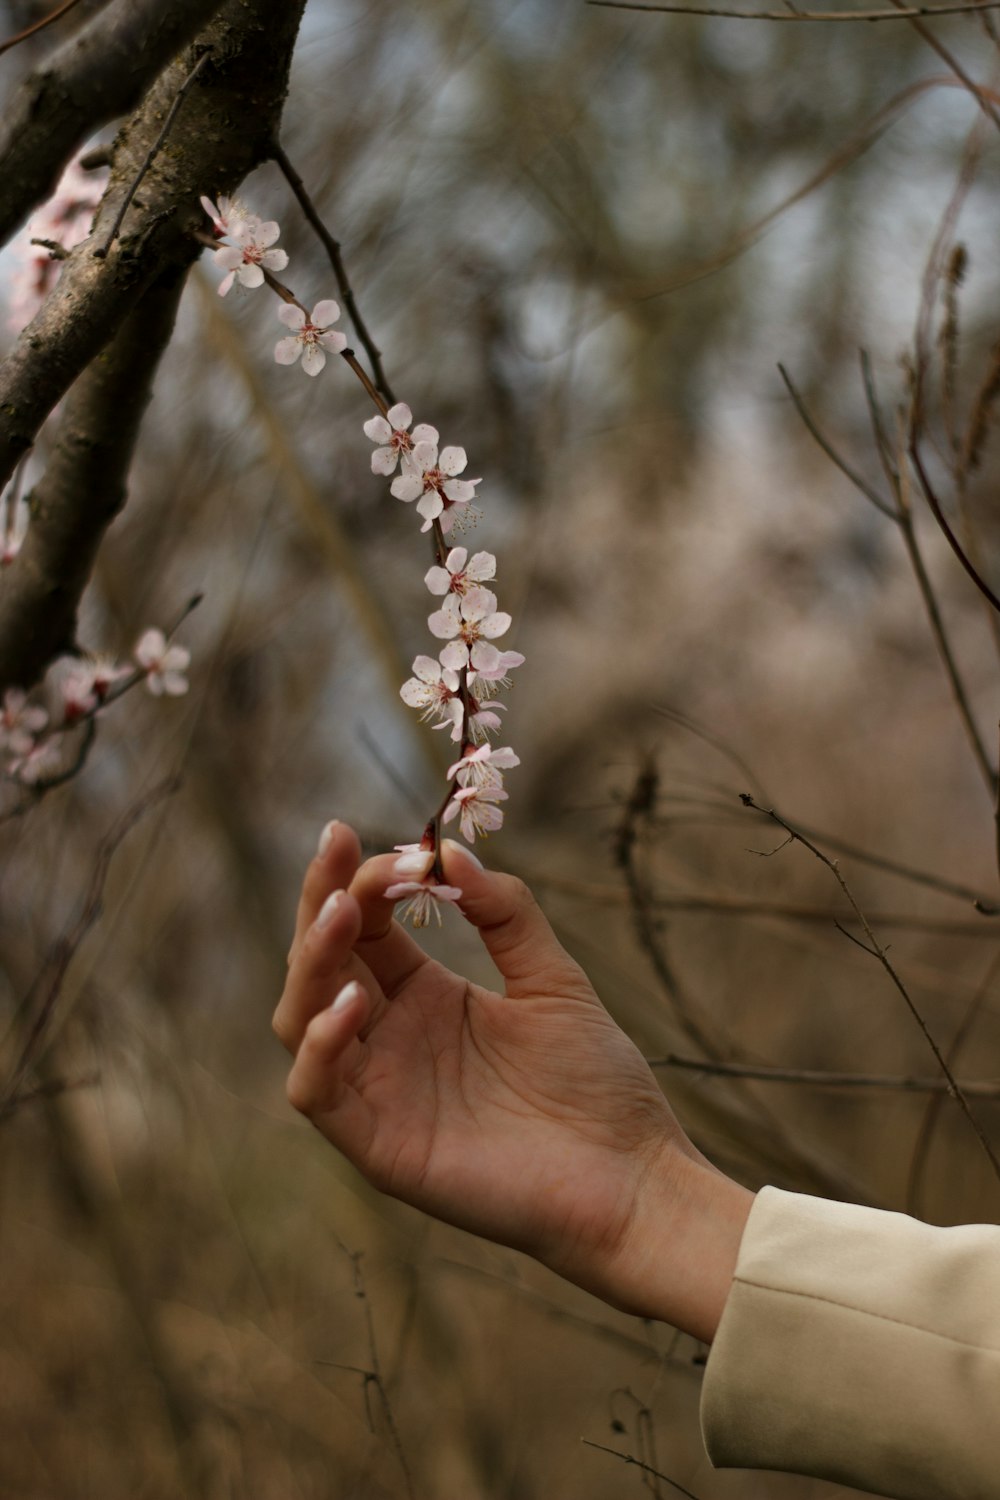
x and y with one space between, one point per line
34 742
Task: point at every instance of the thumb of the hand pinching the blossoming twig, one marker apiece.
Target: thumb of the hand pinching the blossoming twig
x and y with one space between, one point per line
512 926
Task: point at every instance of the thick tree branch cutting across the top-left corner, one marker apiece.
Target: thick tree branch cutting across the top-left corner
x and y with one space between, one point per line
98 76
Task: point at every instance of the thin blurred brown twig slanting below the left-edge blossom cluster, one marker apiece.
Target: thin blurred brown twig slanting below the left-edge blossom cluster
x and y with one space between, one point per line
47 988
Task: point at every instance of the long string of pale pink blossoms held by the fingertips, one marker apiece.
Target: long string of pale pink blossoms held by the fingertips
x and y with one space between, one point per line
460 688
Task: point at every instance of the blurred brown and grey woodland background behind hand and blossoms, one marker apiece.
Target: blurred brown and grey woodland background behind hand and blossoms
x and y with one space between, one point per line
584 241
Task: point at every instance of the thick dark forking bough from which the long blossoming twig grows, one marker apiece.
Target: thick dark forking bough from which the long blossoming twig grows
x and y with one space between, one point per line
245 80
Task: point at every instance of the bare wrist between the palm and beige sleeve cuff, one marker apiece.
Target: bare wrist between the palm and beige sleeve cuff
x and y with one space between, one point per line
678 1256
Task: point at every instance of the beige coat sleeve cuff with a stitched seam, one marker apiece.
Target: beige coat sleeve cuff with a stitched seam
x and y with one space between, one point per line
863 1348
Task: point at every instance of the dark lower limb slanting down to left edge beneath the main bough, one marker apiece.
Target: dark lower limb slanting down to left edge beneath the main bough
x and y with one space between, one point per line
83 490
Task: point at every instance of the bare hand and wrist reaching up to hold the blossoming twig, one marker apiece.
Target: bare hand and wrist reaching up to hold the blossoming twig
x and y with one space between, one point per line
527 1118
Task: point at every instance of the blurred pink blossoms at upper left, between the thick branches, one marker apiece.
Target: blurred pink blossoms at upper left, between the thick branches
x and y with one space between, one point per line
64 223
